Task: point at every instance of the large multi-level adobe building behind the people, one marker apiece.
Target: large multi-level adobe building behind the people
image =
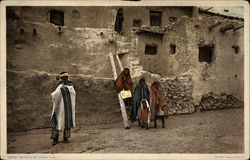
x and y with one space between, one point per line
197 55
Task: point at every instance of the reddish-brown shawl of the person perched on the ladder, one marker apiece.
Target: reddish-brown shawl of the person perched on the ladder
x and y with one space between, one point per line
123 82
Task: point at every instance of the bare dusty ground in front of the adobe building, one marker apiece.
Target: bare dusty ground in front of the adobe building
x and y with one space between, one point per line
218 131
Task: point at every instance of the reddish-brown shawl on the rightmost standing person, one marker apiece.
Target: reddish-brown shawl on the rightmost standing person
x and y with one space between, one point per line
157 99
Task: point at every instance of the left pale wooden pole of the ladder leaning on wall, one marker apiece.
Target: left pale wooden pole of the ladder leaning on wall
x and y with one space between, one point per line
122 105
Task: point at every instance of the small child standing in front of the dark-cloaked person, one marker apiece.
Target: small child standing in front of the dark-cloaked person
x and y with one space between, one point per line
145 114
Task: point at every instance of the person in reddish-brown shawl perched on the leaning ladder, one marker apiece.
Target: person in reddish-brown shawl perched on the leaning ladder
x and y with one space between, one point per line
124 82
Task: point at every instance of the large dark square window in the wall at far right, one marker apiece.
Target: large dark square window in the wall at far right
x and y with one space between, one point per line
206 53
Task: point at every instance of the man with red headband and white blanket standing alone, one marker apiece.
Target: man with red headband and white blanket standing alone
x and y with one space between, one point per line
63 112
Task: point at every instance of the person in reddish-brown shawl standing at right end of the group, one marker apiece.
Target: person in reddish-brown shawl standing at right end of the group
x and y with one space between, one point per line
158 104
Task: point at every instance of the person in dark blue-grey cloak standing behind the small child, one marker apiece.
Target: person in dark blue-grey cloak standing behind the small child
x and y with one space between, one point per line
141 91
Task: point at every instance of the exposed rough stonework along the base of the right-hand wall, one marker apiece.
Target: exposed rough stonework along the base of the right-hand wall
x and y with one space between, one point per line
178 91
